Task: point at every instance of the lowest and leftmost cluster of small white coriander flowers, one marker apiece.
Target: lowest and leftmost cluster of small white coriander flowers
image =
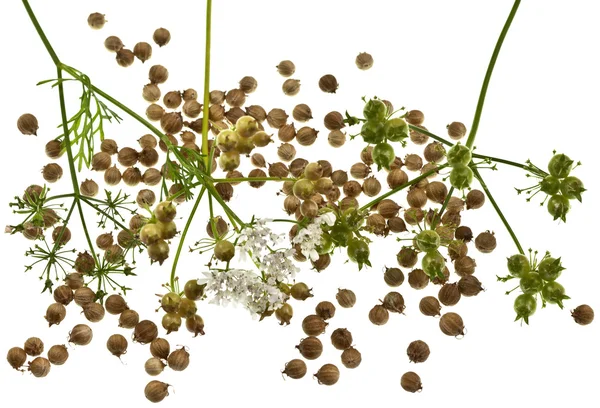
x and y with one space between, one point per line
241 286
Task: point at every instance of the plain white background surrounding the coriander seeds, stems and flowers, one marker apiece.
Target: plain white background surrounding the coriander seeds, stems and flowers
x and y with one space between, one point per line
429 55
